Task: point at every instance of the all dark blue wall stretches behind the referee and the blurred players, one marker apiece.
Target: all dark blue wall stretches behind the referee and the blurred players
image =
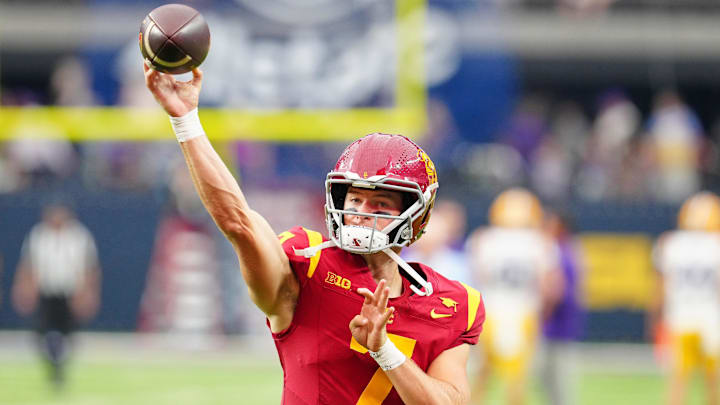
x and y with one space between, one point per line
124 225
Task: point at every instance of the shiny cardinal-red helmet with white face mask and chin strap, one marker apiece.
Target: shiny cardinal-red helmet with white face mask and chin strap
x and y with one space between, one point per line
382 161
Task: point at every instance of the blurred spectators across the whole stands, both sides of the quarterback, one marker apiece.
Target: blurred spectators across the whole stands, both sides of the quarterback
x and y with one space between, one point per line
559 148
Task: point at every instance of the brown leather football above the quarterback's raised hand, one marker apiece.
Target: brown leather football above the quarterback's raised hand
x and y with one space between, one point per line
175 38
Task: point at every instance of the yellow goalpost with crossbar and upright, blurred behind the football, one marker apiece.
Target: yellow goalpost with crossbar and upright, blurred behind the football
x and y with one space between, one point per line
407 116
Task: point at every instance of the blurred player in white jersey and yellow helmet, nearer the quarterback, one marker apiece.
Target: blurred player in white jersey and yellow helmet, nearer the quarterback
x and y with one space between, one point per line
516 266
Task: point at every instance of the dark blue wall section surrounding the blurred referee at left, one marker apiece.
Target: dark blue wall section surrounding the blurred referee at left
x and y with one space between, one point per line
124 228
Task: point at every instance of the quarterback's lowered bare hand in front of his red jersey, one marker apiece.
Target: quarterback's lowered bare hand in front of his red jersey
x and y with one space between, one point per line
368 327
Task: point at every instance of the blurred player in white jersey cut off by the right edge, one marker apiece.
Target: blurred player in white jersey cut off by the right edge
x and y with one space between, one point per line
688 260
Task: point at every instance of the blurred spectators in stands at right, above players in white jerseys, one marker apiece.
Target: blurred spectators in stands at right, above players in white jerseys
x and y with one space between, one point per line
613 153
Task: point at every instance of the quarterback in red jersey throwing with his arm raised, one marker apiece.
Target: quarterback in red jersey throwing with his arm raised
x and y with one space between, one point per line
353 323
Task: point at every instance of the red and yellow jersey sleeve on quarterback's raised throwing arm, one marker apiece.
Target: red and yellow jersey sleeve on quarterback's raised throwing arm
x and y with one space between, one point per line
293 241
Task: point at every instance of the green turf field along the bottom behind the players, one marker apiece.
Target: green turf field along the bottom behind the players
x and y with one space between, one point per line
191 383
